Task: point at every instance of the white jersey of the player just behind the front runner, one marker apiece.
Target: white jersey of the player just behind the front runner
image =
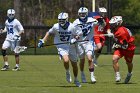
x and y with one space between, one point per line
87 28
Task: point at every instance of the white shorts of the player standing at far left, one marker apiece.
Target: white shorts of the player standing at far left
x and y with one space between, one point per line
10 44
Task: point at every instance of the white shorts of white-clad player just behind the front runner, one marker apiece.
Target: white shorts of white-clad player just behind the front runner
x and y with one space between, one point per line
86 48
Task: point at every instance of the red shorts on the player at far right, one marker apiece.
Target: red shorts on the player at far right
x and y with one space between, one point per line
128 54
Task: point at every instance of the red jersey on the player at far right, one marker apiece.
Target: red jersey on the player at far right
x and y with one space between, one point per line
122 34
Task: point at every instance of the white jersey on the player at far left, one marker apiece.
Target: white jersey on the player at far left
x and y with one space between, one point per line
12 28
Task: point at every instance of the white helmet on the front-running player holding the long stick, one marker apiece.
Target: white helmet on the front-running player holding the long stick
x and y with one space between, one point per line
63 18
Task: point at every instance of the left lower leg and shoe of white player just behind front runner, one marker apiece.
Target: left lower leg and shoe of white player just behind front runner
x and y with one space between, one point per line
82 63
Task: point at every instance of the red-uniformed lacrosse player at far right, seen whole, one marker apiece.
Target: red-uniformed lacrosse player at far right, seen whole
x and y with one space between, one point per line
123 47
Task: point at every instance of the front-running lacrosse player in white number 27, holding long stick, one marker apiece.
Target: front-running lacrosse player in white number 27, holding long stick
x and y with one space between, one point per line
64 32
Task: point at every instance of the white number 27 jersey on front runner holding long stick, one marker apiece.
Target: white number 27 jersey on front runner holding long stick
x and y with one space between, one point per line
64 35
